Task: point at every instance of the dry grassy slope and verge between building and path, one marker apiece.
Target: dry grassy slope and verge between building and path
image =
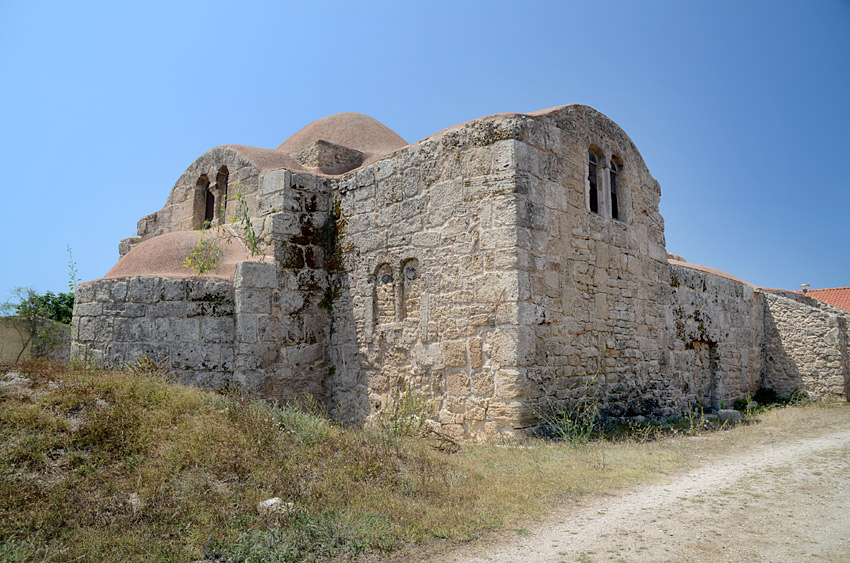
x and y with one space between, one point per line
109 465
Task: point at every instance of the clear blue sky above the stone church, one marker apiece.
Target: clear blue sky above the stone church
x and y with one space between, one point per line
741 109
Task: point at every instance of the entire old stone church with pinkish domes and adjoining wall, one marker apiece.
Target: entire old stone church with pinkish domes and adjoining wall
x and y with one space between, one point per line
490 266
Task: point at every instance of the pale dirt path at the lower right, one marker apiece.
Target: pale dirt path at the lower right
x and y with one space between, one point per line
778 502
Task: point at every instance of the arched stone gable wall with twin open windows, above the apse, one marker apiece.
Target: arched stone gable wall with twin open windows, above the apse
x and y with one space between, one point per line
185 202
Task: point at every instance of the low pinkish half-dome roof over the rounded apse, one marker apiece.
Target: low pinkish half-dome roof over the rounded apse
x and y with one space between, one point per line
163 256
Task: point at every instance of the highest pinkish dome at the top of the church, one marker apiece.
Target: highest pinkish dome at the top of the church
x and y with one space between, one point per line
348 129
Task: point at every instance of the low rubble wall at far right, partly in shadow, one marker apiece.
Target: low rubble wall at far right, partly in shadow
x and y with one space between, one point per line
805 346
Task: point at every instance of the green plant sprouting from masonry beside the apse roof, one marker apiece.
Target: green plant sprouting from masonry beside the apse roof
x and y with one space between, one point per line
204 257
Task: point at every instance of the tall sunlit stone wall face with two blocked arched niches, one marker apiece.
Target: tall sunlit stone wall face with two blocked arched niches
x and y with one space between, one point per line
425 295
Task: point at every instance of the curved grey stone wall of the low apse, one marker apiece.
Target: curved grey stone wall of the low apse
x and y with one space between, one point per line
188 321
